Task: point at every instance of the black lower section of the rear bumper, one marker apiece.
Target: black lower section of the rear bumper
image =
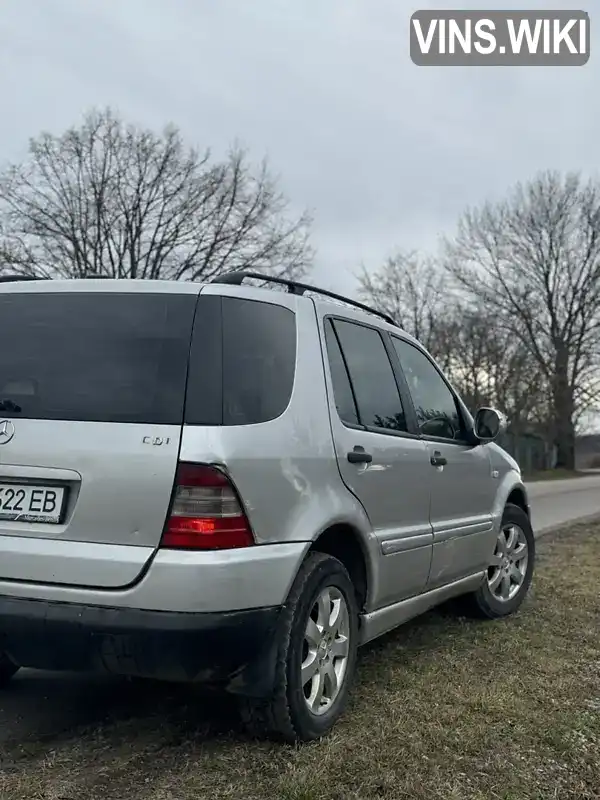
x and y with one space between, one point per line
208 647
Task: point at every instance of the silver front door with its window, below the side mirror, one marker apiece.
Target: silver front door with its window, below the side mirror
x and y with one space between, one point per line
461 480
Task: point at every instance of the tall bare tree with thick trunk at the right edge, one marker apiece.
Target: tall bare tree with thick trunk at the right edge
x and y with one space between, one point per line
534 261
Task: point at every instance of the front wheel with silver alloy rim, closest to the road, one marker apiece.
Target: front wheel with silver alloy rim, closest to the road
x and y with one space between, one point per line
487 602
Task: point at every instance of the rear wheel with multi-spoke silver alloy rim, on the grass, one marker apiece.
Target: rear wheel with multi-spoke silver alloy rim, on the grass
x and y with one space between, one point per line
287 714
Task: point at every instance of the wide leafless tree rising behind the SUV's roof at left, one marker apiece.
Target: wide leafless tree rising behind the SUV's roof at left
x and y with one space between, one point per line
111 199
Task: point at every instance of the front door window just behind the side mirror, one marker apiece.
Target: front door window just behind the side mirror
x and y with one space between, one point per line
437 414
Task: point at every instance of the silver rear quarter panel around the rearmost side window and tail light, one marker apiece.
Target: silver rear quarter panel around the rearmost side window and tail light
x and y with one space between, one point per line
286 470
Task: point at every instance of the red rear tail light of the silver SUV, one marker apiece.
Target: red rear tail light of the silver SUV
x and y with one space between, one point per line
206 513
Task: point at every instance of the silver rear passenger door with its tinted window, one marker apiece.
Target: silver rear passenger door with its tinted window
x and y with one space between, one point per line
381 463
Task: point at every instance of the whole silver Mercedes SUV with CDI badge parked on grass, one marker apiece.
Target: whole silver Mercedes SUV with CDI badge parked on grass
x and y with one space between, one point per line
239 486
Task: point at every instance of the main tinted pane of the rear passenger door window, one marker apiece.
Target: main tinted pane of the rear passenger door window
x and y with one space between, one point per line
377 396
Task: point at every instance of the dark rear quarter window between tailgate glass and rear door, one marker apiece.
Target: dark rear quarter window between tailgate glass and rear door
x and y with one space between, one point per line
243 362
